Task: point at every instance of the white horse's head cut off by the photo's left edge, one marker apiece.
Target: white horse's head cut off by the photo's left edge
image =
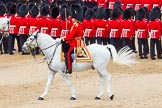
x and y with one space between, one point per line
4 26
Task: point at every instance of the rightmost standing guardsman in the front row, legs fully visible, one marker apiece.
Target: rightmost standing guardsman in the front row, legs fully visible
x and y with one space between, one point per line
154 27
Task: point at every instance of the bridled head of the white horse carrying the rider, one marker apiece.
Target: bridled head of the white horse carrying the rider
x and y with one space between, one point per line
31 42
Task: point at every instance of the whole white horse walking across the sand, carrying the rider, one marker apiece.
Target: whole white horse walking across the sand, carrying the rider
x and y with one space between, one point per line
100 54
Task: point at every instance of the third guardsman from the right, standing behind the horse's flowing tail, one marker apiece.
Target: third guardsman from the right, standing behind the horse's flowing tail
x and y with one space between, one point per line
127 28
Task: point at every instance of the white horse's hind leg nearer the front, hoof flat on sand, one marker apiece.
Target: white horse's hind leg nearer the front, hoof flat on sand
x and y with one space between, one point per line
102 85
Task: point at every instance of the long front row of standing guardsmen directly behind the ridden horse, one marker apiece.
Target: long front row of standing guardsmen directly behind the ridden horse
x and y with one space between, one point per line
103 26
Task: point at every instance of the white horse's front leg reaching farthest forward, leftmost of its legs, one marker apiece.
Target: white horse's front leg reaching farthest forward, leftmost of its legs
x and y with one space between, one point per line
51 74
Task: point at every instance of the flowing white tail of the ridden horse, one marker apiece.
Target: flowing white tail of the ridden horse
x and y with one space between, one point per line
125 56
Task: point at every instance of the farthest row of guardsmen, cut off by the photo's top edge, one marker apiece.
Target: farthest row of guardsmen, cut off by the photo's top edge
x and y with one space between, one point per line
135 4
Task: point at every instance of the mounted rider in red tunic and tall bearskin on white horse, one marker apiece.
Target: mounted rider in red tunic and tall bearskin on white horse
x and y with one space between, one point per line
75 35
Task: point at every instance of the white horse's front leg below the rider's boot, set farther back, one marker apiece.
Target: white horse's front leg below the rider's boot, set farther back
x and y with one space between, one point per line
66 78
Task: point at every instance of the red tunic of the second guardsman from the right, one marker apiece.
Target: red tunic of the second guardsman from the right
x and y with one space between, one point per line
141 26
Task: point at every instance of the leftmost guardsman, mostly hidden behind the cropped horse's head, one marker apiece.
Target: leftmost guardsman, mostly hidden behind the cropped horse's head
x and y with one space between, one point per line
5 39
